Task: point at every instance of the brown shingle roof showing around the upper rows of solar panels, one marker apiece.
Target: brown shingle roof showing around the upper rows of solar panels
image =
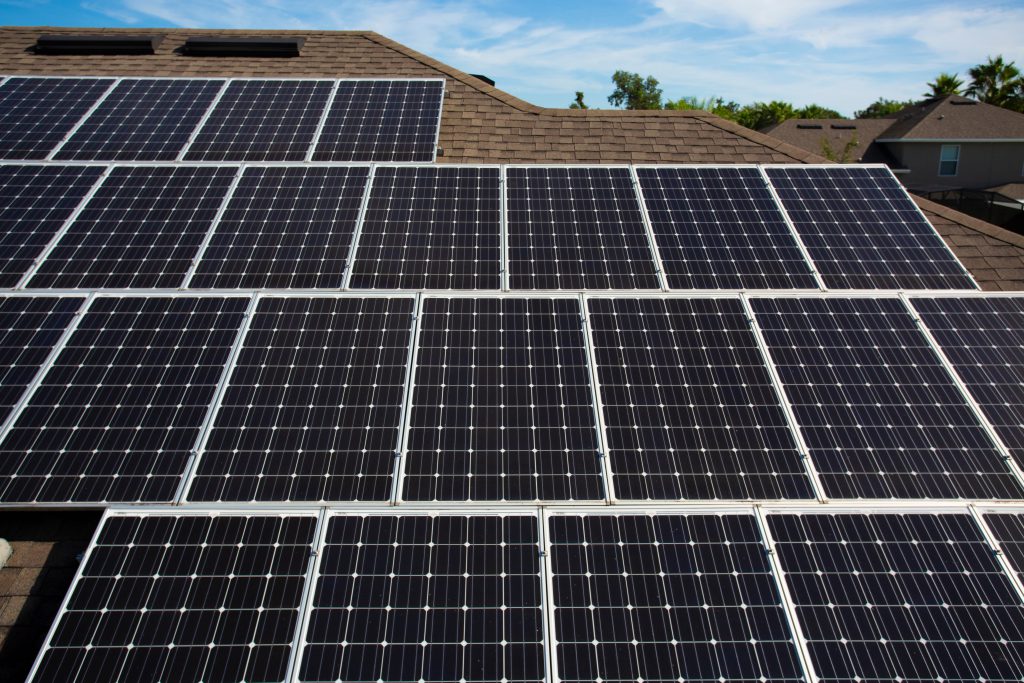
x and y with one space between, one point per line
484 124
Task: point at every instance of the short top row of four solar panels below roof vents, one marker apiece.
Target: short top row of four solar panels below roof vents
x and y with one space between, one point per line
152 119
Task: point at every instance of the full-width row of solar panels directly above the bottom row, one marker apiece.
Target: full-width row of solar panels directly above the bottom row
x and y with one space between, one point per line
510 399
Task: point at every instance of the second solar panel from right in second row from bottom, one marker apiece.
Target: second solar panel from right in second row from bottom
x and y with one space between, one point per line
881 416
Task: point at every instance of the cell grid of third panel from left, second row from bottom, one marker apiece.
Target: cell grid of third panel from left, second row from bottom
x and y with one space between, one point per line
313 407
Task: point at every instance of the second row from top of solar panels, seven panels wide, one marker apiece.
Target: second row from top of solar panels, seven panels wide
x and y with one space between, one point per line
443 228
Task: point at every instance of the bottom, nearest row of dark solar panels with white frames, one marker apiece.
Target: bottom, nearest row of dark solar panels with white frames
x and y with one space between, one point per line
781 596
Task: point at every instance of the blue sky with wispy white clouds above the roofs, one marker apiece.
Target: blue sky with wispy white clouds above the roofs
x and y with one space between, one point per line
841 54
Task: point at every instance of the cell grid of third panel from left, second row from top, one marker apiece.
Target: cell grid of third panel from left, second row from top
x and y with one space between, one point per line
285 228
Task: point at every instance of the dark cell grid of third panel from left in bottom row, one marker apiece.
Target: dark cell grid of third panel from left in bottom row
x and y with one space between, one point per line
667 599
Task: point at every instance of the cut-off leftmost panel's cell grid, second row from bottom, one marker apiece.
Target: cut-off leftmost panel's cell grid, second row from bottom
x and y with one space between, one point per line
30 328
